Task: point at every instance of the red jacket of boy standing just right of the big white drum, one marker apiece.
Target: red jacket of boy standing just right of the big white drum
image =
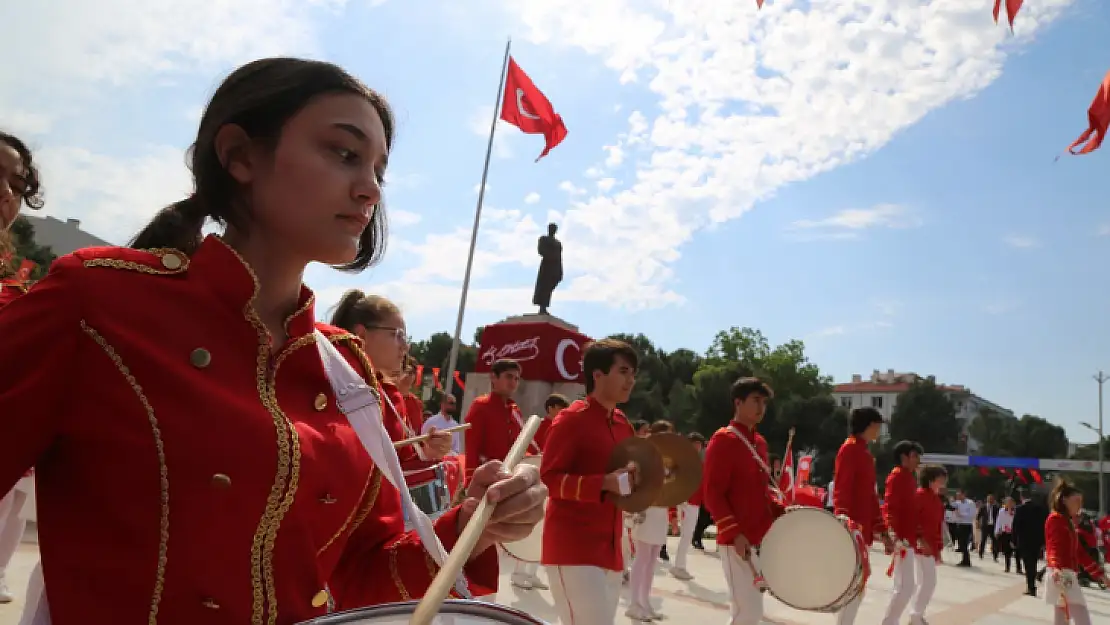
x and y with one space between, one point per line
854 489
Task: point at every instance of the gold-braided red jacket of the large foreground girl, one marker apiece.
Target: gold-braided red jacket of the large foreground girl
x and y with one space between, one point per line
228 487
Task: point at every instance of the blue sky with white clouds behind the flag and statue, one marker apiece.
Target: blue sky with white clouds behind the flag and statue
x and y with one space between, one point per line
876 178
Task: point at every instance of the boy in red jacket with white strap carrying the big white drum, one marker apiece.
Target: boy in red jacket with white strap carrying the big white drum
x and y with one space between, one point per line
739 495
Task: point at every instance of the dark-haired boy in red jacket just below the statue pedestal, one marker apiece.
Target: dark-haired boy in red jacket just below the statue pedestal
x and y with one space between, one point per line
496 419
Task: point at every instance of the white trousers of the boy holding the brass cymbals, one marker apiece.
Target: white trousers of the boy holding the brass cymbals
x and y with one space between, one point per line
586 596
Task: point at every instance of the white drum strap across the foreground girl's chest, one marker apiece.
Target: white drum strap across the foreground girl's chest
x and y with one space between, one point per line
365 412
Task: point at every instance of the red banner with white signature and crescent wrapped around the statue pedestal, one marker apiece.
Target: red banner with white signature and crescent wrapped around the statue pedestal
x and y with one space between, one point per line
547 352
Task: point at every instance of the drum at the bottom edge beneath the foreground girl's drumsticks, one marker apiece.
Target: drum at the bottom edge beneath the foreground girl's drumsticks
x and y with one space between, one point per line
453 612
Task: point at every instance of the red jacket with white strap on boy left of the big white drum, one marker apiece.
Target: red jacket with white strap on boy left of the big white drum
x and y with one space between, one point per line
738 488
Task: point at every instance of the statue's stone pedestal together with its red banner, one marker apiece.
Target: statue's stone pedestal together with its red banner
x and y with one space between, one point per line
549 351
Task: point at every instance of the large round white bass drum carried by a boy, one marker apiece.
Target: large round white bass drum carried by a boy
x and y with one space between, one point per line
812 562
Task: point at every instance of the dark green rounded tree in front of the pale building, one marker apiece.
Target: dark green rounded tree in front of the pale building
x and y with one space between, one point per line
924 414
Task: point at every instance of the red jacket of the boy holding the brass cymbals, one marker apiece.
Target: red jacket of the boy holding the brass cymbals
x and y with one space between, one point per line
582 526
